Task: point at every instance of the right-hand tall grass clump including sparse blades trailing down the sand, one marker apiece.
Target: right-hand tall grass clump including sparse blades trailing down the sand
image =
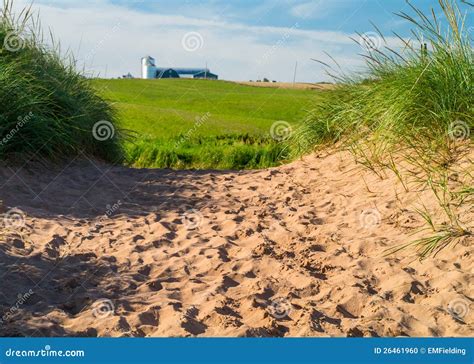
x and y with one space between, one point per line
414 103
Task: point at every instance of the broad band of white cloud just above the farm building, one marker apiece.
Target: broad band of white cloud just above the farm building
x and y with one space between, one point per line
114 38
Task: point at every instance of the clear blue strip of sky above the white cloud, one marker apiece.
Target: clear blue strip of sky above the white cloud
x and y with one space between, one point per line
345 15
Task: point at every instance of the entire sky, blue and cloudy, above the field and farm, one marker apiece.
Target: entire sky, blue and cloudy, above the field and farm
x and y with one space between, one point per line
238 40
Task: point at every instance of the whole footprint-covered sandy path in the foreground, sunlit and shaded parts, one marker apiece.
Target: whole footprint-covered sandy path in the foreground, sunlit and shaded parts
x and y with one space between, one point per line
291 251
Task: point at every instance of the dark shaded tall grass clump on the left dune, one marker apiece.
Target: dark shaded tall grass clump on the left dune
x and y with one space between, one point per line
48 109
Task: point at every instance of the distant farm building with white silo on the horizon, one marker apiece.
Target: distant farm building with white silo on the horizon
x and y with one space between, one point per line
151 71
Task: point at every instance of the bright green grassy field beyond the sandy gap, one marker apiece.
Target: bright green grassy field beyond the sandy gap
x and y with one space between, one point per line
182 123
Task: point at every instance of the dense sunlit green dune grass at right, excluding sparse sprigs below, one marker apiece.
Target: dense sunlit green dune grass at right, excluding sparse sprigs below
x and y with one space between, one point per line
409 96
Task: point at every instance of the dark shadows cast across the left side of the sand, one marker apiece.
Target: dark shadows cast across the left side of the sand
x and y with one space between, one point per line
57 281
